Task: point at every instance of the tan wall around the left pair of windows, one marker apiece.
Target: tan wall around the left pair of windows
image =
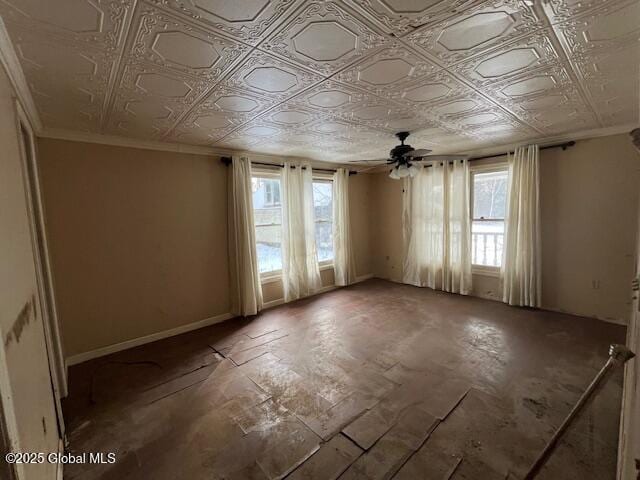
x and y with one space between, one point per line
138 240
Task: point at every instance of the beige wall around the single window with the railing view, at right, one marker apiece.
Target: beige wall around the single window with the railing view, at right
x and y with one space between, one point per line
589 208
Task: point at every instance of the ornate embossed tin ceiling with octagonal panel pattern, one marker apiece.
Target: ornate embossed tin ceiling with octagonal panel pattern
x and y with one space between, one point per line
330 80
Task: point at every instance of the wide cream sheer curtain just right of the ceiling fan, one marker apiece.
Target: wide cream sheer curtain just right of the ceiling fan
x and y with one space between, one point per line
436 228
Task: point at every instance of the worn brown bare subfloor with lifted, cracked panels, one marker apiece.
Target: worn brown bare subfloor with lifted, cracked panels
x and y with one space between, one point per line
374 381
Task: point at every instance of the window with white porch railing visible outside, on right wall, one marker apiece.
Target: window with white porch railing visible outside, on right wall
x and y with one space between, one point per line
488 209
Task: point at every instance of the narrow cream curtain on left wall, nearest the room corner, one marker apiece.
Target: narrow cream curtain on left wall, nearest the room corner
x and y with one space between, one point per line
344 262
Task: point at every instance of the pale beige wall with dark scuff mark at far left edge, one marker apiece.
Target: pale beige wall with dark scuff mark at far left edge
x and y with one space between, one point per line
25 385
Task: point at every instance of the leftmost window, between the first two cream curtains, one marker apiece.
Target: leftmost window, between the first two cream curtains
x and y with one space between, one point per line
267 215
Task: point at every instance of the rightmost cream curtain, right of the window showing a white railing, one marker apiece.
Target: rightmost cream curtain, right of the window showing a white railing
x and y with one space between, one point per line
521 266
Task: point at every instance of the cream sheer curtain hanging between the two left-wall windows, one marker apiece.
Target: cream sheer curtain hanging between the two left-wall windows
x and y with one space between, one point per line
300 271
